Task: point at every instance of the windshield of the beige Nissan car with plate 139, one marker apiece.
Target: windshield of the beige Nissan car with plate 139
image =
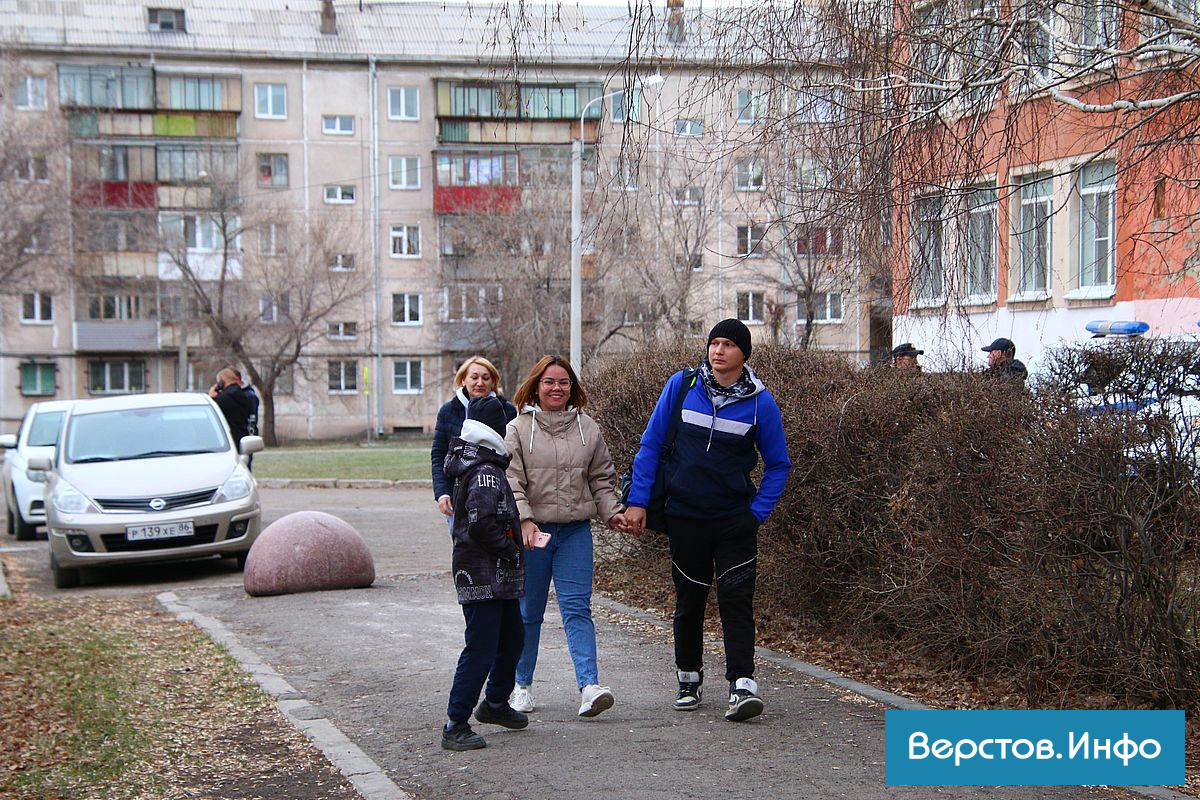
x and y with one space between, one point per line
145 434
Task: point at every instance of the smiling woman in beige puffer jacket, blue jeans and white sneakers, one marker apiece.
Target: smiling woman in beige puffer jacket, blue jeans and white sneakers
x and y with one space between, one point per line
562 477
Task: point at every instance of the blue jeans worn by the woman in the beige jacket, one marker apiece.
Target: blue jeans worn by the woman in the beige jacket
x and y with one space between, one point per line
568 561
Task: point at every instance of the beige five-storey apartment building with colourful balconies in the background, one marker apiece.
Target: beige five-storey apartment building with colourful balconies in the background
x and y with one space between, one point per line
219 143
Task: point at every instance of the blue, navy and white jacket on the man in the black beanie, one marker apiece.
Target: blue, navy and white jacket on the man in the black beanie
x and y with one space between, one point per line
717 448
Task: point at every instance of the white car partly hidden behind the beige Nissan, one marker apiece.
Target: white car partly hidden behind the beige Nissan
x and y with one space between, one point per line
38 436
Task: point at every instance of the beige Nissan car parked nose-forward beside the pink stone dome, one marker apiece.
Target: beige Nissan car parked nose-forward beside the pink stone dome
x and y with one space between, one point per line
147 478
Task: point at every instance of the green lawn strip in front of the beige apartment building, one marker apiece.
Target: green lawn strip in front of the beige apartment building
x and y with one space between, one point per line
388 462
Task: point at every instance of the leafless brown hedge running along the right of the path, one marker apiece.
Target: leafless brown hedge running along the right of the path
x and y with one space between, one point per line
963 519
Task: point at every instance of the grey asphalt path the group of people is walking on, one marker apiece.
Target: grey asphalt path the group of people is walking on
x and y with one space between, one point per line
376 664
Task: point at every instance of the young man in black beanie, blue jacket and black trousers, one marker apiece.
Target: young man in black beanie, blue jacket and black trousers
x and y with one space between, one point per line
713 509
